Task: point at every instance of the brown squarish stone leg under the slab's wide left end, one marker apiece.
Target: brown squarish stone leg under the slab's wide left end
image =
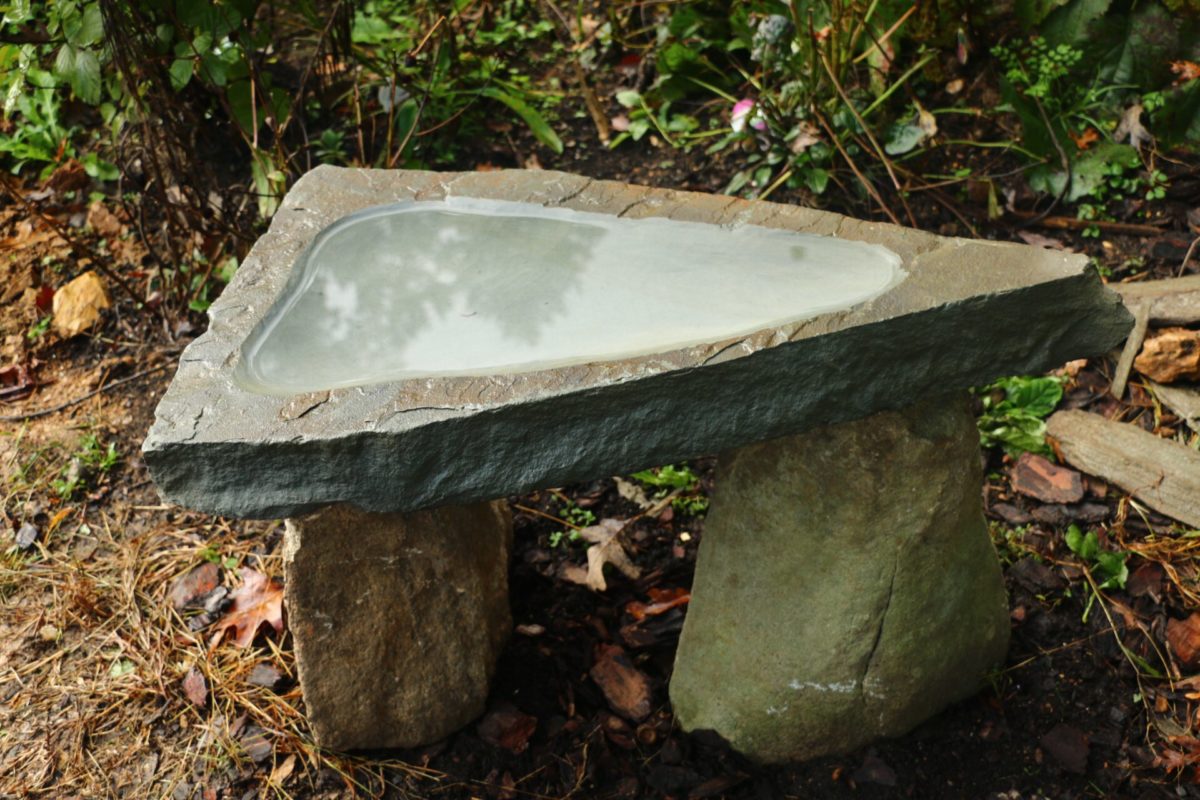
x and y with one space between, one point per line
398 619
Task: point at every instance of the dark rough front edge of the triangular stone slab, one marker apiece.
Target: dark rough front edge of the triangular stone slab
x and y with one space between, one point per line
659 419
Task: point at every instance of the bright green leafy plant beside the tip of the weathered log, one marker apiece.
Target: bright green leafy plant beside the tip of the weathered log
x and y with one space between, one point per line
1013 413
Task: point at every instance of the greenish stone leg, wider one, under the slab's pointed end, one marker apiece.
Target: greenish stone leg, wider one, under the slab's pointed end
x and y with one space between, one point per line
847 587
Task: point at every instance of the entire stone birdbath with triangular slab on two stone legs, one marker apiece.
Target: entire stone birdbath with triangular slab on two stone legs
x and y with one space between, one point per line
401 348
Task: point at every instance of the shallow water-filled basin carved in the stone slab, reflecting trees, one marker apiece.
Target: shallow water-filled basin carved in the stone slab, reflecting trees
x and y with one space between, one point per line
473 287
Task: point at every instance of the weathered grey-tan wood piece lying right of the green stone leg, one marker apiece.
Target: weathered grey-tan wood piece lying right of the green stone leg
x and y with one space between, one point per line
1162 474
